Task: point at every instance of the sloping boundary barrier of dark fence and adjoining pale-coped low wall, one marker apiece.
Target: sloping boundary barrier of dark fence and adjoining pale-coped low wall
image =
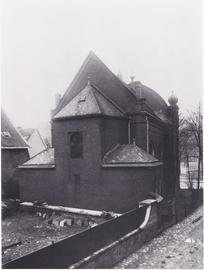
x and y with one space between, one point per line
108 240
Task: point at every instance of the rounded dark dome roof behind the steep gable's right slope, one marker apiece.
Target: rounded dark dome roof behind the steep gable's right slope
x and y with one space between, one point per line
153 99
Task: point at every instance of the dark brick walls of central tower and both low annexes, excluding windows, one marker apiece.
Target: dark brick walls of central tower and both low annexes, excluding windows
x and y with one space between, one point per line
109 189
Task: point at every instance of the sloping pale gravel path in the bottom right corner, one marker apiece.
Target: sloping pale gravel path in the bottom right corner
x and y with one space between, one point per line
179 247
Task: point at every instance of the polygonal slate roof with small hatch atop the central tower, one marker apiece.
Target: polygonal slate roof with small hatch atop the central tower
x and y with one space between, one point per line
90 101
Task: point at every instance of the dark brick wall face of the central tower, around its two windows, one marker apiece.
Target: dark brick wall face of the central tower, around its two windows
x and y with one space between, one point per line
88 167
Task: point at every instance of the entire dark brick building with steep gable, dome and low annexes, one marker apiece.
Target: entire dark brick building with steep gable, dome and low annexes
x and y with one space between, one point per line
113 144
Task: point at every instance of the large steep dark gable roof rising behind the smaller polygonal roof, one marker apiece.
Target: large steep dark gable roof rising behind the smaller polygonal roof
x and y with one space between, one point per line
102 78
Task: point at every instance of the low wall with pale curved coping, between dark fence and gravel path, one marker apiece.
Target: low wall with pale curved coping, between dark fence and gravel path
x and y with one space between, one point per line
111 254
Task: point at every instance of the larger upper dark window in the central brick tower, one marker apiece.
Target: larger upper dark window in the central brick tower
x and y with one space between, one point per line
76 145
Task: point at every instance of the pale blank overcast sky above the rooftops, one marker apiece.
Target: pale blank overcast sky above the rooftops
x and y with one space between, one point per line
44 42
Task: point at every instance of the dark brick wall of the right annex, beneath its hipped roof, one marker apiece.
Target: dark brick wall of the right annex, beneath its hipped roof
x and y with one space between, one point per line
124 188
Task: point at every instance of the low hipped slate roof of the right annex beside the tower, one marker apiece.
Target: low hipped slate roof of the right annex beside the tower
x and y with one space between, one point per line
129 155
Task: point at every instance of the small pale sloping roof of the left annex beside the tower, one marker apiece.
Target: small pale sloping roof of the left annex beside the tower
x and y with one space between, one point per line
45 159
